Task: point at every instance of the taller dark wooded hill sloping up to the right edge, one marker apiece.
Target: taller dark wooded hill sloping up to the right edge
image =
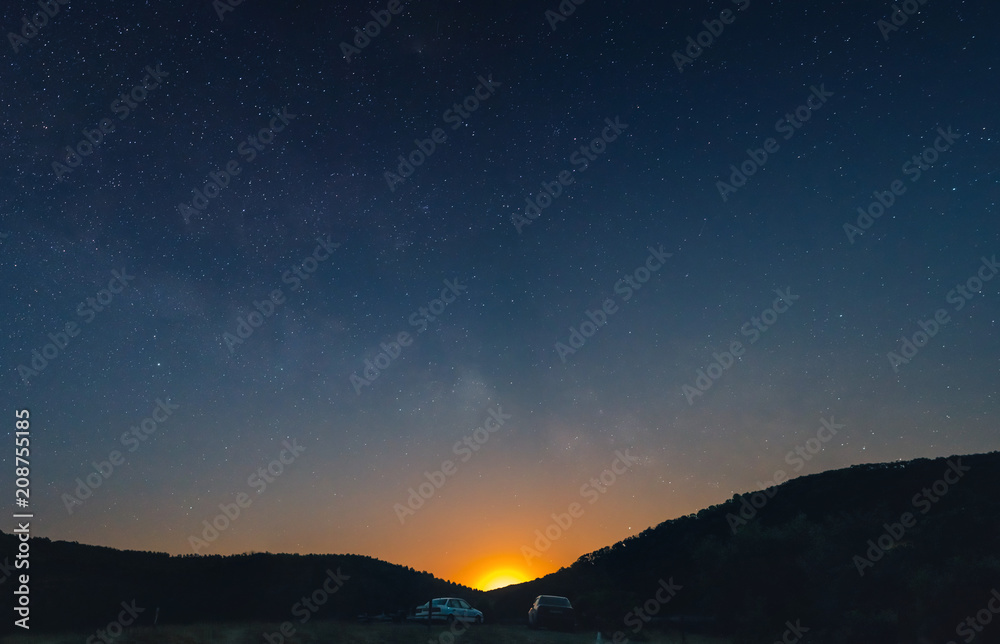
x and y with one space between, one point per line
795 559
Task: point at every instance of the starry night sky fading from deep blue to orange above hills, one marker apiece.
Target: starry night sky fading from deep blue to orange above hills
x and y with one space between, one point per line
297 236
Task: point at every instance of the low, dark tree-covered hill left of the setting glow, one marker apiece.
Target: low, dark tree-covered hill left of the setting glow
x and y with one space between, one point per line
80 586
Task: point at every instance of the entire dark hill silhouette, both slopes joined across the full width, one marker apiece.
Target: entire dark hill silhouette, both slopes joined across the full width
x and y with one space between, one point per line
793 560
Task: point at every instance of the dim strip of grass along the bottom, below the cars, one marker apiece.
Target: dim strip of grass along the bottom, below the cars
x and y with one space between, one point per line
347 633
